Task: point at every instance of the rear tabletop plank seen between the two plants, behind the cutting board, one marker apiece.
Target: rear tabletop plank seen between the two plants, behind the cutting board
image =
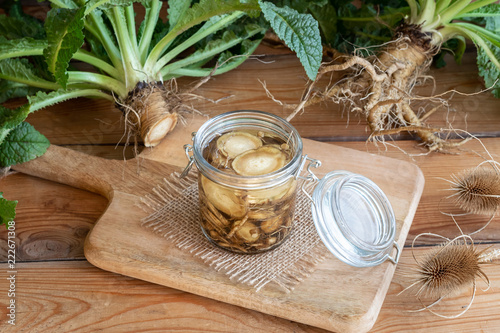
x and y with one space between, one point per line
90 121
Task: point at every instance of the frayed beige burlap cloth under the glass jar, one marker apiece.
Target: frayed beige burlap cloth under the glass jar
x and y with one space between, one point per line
175 216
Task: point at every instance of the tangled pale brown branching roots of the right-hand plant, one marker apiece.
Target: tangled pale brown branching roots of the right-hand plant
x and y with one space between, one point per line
380 88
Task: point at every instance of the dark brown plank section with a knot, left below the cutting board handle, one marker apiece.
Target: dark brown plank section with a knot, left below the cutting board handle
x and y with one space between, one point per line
52 219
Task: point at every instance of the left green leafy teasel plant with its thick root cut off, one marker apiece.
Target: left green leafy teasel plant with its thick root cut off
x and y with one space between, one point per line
132 65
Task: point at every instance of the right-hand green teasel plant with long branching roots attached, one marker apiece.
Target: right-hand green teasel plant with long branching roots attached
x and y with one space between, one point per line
379 81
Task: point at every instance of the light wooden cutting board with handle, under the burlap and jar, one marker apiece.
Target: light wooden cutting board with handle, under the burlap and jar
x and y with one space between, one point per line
335 297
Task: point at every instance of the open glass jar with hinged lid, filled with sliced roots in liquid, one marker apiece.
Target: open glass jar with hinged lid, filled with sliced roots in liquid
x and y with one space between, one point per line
244 211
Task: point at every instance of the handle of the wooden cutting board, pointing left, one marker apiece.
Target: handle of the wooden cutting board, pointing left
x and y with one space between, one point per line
73 168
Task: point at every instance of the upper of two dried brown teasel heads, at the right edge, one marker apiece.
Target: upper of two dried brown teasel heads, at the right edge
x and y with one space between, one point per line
477 190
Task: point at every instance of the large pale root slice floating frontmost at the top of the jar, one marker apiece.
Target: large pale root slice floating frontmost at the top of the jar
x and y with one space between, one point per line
259 161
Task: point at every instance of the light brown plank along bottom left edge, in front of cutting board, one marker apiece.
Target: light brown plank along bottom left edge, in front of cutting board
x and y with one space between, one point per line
78 297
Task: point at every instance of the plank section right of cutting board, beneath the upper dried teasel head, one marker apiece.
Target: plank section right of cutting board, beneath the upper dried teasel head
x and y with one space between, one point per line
438 168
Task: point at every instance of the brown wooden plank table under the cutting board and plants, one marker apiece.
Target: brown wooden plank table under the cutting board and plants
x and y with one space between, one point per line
57 290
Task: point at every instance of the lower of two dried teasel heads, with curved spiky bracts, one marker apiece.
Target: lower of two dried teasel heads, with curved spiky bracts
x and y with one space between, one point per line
449 270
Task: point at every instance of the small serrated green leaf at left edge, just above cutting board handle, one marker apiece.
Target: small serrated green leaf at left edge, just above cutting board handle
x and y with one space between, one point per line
22 144
